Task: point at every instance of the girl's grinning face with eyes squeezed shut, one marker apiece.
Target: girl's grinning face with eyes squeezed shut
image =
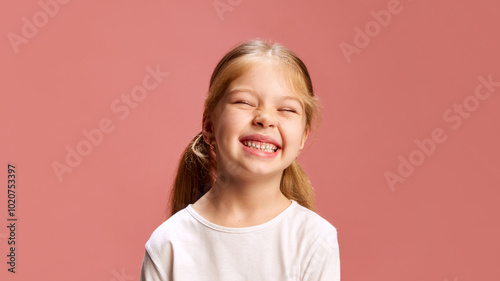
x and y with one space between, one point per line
259 125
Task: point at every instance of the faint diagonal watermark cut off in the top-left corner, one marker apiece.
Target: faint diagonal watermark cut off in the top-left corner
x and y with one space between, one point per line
29 29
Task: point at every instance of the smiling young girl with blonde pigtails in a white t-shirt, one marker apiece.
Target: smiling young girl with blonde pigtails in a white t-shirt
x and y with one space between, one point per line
242 207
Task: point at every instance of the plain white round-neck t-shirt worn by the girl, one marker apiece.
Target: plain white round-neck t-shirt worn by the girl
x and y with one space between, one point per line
297 244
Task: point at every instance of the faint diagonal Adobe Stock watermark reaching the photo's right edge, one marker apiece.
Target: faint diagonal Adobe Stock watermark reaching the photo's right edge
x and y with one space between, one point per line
453 116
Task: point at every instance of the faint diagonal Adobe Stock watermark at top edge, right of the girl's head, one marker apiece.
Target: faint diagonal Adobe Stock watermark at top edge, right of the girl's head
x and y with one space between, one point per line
372 29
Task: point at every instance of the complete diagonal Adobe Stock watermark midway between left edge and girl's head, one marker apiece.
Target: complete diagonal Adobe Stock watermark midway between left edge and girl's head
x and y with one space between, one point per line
121 107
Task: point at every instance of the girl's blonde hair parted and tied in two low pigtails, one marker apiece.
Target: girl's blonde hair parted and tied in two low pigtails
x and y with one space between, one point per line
197 168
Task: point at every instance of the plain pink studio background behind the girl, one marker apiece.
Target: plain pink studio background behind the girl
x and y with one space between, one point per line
440 223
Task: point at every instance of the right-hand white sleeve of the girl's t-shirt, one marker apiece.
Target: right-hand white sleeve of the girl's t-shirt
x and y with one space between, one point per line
324 262
